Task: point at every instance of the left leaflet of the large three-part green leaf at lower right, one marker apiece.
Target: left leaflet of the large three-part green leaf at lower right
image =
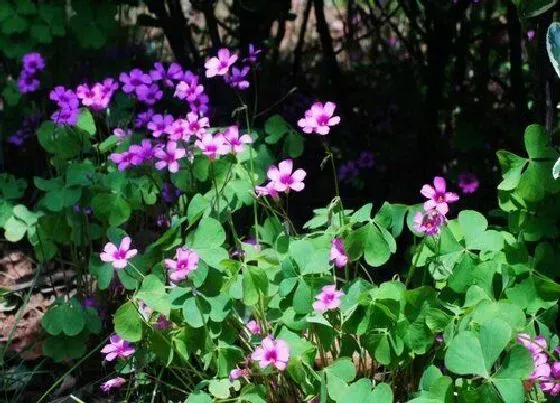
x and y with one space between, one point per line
464 355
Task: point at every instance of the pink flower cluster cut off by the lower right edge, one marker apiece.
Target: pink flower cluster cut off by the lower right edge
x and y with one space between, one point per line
546 372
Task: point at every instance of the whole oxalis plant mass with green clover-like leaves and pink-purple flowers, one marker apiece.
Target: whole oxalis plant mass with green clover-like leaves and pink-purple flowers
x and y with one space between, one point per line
228 301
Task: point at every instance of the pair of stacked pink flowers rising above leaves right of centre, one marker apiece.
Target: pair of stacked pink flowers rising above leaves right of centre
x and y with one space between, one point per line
435 208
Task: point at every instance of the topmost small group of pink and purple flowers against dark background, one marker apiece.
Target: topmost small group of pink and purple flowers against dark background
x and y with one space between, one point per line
222 65
